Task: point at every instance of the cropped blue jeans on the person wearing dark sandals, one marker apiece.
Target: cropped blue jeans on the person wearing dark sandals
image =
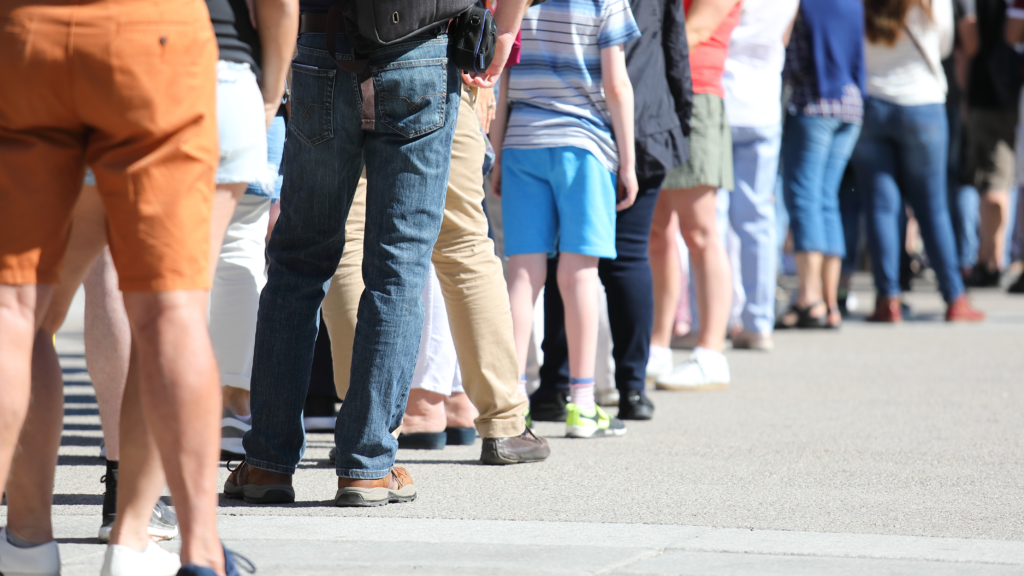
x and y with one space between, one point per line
816 152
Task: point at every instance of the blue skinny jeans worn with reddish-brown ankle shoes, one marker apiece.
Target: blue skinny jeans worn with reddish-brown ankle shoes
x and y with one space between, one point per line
902 156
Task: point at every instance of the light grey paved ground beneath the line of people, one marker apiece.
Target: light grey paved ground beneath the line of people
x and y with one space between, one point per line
872 450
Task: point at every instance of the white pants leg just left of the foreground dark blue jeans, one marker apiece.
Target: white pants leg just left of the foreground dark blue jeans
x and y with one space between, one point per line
235 299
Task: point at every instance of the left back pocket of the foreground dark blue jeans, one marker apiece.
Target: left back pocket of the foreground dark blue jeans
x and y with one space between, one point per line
313 104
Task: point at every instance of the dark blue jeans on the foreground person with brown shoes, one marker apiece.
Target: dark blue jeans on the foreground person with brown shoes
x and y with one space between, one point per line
407 148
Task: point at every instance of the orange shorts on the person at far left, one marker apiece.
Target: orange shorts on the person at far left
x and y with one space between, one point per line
130 89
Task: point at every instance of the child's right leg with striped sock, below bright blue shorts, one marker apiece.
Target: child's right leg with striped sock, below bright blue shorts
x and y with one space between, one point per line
578 284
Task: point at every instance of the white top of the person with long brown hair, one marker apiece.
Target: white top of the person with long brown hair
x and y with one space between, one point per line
901 74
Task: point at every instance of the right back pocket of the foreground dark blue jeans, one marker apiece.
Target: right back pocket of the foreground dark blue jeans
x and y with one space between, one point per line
412 96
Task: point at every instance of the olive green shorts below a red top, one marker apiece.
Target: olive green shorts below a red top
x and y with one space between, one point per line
711 148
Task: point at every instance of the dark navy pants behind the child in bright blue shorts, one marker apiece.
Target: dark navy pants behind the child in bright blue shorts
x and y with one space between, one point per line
631 303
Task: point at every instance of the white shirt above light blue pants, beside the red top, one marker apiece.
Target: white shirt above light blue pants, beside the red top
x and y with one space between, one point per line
753 77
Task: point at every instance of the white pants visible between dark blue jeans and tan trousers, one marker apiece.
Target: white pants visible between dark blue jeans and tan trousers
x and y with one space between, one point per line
438 365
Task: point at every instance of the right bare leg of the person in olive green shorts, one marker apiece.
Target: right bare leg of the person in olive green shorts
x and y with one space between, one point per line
698 215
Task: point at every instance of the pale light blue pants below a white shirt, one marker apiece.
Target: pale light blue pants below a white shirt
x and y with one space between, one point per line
752 217
